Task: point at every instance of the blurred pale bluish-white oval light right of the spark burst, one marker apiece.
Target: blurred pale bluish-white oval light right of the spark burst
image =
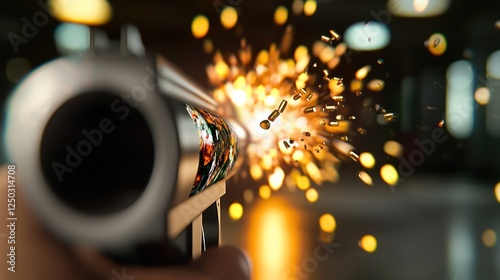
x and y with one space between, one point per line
367 36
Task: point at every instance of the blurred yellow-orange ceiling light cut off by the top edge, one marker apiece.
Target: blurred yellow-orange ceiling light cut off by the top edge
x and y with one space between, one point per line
91 12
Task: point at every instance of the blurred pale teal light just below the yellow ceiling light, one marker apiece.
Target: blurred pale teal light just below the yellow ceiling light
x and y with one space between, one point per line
71 38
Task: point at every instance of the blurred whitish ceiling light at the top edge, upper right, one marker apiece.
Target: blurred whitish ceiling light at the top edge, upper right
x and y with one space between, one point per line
418 8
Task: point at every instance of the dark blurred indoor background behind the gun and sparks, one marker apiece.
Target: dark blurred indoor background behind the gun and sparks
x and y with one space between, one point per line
439 61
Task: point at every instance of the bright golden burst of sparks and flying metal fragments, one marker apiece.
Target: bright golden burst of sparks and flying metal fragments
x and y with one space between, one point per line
307 141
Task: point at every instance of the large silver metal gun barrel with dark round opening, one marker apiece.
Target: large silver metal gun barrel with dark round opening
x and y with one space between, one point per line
111 156
